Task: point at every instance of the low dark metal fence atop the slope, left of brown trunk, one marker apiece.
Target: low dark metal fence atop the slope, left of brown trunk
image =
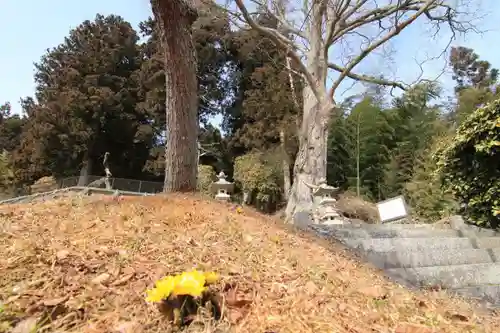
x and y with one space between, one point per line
120 184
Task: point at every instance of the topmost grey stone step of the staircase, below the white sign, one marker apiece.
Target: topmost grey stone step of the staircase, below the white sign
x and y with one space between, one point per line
346 231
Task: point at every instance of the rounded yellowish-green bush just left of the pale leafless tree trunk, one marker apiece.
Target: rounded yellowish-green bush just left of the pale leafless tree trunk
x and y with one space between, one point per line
260 176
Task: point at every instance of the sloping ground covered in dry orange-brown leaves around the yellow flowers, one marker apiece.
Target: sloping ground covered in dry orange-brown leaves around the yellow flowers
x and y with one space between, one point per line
83 265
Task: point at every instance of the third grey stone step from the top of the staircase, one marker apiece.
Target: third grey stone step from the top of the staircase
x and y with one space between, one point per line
427 258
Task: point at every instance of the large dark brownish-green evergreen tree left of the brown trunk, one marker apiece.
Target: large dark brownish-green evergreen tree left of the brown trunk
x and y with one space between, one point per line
86 103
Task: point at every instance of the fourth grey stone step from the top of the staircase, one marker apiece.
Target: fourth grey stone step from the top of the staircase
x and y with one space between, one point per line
449 277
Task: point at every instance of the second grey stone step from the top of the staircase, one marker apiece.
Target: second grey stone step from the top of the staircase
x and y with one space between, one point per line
408 244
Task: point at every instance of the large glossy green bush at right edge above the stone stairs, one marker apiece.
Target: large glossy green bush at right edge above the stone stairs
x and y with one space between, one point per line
470 165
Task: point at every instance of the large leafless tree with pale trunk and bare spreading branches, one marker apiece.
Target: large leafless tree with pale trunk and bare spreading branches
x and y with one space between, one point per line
309 30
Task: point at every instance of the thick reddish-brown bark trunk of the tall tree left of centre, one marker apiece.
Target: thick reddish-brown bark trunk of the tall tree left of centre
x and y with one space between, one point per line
175 18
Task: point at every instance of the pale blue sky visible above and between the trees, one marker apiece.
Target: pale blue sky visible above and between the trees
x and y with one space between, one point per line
28 29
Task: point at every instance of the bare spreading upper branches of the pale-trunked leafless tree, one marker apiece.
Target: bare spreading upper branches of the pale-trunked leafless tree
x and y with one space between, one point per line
328 22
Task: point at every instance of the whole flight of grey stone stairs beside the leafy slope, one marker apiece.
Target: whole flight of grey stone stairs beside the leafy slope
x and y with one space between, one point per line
461 258
